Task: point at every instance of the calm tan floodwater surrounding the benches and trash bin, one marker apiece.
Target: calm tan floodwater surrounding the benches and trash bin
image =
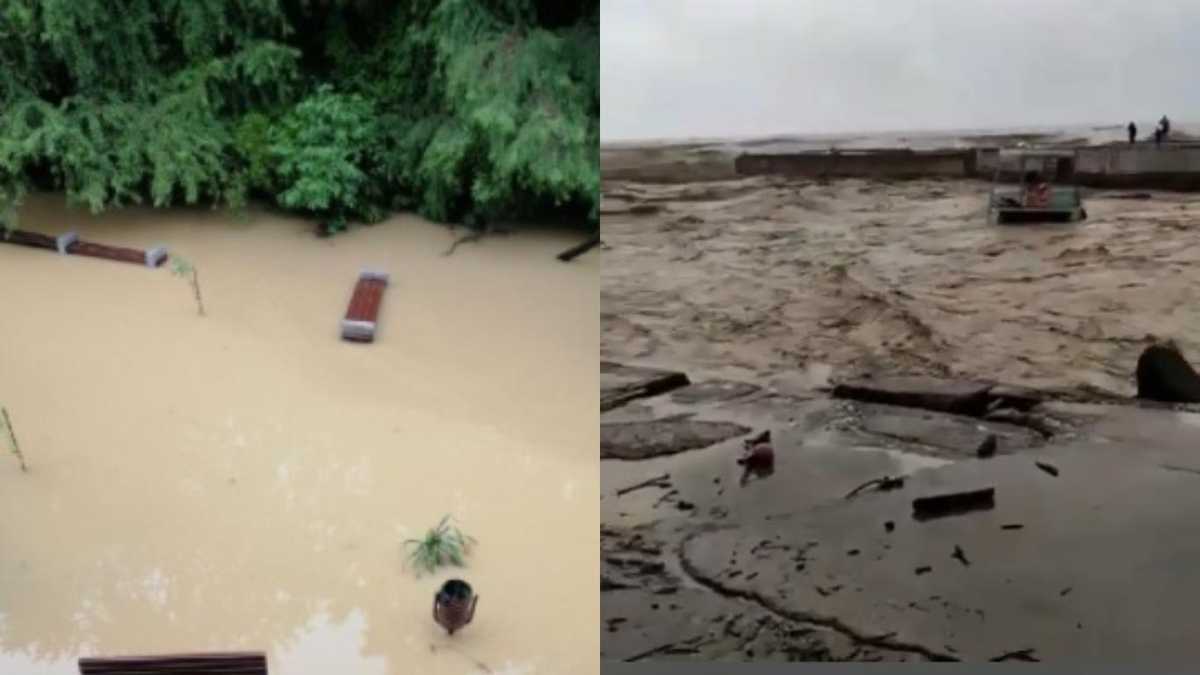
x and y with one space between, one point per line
245 481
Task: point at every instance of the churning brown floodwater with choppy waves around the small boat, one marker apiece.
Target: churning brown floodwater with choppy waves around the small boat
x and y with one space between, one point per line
778 282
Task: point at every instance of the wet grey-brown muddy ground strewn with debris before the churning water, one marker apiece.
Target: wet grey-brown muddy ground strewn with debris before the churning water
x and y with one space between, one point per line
806 564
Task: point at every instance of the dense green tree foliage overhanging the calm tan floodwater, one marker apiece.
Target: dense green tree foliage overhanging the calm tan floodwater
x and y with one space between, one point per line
463 110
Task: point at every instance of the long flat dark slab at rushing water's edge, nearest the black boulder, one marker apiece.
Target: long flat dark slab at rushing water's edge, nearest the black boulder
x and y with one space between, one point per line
939 396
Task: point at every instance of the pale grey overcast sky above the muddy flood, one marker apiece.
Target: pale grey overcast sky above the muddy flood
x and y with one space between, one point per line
677 69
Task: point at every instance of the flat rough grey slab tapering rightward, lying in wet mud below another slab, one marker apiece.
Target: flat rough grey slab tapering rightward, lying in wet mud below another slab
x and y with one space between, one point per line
659 438
